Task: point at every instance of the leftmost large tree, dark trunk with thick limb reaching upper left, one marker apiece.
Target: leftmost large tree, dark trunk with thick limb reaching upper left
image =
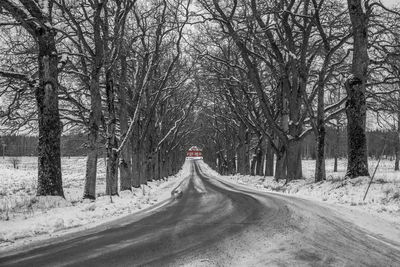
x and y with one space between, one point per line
37 21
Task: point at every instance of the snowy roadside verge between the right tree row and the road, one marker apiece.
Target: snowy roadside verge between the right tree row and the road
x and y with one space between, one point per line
378 214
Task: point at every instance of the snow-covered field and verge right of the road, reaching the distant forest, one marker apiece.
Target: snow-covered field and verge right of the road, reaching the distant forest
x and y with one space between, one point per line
383 196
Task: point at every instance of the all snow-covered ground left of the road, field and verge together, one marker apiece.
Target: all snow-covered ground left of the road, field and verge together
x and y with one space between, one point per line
24 216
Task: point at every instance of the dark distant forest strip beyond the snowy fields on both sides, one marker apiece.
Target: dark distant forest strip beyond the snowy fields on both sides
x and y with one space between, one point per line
75 145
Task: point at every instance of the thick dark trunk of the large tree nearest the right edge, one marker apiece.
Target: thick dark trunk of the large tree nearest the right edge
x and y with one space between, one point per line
355 87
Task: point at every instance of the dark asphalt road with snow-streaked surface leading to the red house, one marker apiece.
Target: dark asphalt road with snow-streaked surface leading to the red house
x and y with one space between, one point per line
218 224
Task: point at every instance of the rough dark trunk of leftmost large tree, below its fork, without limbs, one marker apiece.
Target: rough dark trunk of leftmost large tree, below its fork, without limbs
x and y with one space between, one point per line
50 128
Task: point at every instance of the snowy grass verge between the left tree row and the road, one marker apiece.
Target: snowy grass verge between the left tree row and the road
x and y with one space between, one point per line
47 215
